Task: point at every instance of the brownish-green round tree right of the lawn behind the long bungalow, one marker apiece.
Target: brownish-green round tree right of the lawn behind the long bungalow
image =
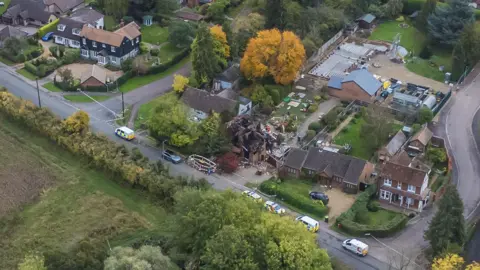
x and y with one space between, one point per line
377 126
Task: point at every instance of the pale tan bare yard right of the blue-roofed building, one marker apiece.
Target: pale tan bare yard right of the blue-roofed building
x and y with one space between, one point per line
389 69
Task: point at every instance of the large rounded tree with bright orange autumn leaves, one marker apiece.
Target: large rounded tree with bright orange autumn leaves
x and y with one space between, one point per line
275 54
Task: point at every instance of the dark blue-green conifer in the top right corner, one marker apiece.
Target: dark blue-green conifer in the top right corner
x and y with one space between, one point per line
447 22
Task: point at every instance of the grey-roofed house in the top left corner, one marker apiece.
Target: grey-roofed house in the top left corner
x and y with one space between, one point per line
25 12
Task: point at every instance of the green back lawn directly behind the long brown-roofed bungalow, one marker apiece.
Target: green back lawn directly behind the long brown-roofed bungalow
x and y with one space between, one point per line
352 136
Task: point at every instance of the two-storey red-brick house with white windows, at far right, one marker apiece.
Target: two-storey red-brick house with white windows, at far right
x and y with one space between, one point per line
404 186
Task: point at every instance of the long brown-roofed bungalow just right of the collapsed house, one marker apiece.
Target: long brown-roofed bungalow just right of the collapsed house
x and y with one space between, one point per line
329 168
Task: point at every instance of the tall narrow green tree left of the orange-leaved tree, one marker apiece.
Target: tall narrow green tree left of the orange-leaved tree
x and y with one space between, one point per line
202 55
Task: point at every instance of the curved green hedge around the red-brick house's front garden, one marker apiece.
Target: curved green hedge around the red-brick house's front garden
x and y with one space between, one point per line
346 221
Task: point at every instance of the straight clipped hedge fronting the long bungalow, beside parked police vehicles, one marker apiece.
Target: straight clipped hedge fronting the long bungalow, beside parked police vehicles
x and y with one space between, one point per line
301 202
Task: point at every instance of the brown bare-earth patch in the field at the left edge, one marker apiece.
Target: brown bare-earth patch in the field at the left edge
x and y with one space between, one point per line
22 177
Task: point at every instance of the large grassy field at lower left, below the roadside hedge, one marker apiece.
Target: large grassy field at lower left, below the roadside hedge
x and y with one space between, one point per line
73 202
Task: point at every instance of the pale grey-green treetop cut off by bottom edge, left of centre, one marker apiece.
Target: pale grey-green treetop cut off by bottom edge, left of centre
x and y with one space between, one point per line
145 258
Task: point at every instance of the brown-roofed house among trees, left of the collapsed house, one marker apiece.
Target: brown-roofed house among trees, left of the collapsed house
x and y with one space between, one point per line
202 103
